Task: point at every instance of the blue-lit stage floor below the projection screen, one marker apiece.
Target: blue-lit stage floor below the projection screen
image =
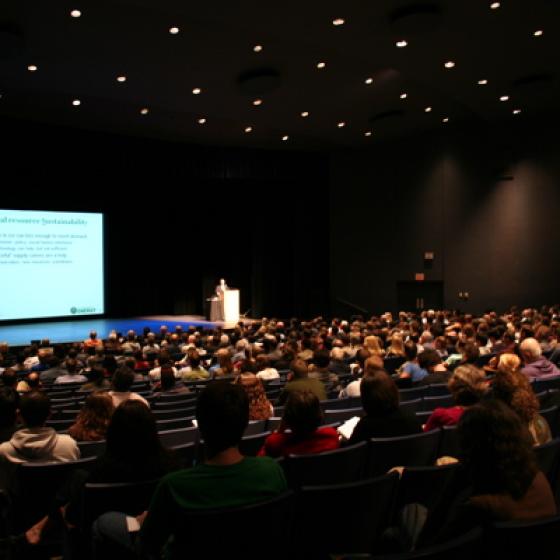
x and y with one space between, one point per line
78 329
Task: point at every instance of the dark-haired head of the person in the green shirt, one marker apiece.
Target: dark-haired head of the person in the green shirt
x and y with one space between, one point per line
222 413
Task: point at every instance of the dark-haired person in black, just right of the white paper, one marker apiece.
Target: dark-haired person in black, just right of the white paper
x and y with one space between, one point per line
383 418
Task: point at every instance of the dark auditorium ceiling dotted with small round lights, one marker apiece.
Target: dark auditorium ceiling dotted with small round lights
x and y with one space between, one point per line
290 74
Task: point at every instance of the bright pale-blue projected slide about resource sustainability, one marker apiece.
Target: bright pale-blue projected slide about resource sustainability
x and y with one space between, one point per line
51 264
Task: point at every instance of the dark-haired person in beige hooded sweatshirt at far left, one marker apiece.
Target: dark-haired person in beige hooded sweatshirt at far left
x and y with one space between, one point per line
36 442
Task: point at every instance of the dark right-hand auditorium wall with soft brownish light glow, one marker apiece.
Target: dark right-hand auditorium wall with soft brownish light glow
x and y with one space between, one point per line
484 200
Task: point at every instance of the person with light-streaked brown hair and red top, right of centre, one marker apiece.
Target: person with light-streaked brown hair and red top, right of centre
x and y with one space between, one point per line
467 386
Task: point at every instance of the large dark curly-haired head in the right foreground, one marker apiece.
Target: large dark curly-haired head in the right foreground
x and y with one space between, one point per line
496 448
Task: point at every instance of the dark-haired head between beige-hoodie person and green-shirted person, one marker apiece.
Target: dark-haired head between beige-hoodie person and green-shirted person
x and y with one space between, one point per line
132 433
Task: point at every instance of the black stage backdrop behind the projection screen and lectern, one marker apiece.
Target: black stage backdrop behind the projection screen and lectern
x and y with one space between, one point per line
178 217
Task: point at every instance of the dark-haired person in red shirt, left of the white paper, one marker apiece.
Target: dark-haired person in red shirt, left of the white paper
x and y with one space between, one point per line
302 417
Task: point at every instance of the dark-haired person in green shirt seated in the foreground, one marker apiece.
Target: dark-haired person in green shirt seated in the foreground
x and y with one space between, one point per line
226 479
